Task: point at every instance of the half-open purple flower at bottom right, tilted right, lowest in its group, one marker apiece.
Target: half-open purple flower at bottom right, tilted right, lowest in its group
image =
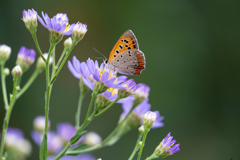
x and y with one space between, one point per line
166 147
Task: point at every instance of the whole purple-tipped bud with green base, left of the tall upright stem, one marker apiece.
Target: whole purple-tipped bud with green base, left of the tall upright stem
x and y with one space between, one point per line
25 58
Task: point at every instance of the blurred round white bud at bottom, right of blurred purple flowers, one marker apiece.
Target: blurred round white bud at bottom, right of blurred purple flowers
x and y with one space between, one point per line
92 139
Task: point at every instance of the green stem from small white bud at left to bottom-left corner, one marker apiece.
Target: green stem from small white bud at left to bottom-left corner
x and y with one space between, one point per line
7 116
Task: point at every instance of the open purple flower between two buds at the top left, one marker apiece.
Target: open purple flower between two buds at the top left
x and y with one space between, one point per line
58 23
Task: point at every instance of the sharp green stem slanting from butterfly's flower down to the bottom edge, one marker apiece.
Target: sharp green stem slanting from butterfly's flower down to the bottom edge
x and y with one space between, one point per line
86 121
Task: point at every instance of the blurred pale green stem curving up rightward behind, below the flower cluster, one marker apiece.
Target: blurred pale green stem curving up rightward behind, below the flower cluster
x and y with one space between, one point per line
106 140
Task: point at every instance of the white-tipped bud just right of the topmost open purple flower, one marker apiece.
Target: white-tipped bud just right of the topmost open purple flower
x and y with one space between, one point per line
79 30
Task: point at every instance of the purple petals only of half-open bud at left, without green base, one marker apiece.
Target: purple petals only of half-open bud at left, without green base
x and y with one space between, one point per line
27 55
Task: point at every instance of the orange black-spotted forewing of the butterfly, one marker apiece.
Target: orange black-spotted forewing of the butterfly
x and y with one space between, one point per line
126 41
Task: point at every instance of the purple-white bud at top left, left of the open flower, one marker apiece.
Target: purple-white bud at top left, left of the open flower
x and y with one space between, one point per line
30 20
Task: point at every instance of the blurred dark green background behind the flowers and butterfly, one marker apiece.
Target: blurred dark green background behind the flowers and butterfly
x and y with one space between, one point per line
193 60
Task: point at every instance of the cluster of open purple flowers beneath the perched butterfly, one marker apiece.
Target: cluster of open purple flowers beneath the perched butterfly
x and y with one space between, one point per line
115 87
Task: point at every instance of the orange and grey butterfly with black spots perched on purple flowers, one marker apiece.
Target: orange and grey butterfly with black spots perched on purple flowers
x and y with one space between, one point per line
125 57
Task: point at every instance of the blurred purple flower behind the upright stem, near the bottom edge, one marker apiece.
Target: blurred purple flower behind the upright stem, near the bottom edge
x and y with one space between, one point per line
54 142
